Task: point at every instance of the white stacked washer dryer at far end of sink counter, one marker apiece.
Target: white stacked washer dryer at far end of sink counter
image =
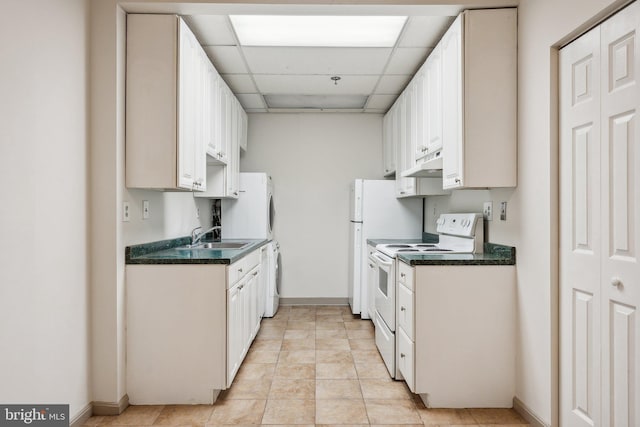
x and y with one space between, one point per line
251 216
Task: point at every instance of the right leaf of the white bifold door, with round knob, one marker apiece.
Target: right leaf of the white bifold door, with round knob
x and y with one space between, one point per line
620 276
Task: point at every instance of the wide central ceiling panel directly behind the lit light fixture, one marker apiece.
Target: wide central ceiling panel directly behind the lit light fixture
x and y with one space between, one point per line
318 60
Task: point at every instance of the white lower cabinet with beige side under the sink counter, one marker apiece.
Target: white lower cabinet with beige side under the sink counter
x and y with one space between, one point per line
189 327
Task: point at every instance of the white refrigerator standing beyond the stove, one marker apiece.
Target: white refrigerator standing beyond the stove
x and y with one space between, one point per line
376 213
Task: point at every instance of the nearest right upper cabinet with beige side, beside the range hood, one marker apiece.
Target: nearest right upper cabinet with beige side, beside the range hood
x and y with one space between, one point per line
479 58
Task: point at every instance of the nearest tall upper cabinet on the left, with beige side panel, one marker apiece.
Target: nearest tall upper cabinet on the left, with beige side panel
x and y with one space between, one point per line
165 120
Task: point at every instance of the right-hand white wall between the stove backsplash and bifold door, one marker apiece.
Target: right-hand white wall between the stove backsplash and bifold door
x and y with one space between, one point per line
532 223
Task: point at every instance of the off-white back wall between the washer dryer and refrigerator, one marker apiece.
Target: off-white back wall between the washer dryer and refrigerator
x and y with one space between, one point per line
312 159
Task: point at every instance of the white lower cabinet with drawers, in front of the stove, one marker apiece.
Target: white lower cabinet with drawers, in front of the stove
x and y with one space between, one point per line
456 325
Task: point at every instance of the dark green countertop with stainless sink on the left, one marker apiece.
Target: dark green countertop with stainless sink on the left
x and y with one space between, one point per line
165 252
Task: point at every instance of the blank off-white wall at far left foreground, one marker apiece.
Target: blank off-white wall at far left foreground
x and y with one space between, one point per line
44 288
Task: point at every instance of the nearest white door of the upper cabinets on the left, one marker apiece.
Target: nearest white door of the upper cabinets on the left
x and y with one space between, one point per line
187 106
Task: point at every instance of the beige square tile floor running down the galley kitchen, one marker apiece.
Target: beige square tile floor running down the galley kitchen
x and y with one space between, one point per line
312 366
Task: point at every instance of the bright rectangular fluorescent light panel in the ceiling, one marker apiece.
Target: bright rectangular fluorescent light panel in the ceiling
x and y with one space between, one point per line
317 31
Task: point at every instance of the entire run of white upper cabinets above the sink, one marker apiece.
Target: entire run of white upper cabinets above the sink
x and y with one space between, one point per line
184 125
